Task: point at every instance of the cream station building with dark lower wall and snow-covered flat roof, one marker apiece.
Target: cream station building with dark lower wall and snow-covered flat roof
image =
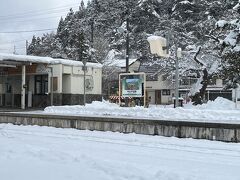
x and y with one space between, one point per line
32 81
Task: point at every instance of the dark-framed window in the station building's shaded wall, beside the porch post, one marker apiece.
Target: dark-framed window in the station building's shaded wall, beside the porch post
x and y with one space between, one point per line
41 84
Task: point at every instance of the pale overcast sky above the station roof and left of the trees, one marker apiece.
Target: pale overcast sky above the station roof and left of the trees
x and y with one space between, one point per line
27 15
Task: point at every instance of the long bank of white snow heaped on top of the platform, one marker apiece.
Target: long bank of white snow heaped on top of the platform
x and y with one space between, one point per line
220 110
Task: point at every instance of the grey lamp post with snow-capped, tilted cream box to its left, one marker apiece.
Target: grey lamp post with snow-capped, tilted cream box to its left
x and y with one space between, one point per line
160 46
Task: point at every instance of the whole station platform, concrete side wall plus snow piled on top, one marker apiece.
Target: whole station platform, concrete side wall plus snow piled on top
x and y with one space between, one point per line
217 120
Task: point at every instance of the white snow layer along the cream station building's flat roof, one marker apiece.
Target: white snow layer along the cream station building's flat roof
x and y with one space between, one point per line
45 60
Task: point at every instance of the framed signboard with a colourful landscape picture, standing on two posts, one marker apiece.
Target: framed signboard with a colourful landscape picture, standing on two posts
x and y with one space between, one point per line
132 85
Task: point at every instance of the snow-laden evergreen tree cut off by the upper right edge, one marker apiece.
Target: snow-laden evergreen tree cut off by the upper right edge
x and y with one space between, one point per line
227 37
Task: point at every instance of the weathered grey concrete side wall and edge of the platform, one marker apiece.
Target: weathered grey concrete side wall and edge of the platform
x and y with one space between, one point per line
183 129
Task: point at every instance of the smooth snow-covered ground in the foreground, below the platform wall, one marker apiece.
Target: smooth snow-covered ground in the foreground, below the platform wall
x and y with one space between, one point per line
32 152
